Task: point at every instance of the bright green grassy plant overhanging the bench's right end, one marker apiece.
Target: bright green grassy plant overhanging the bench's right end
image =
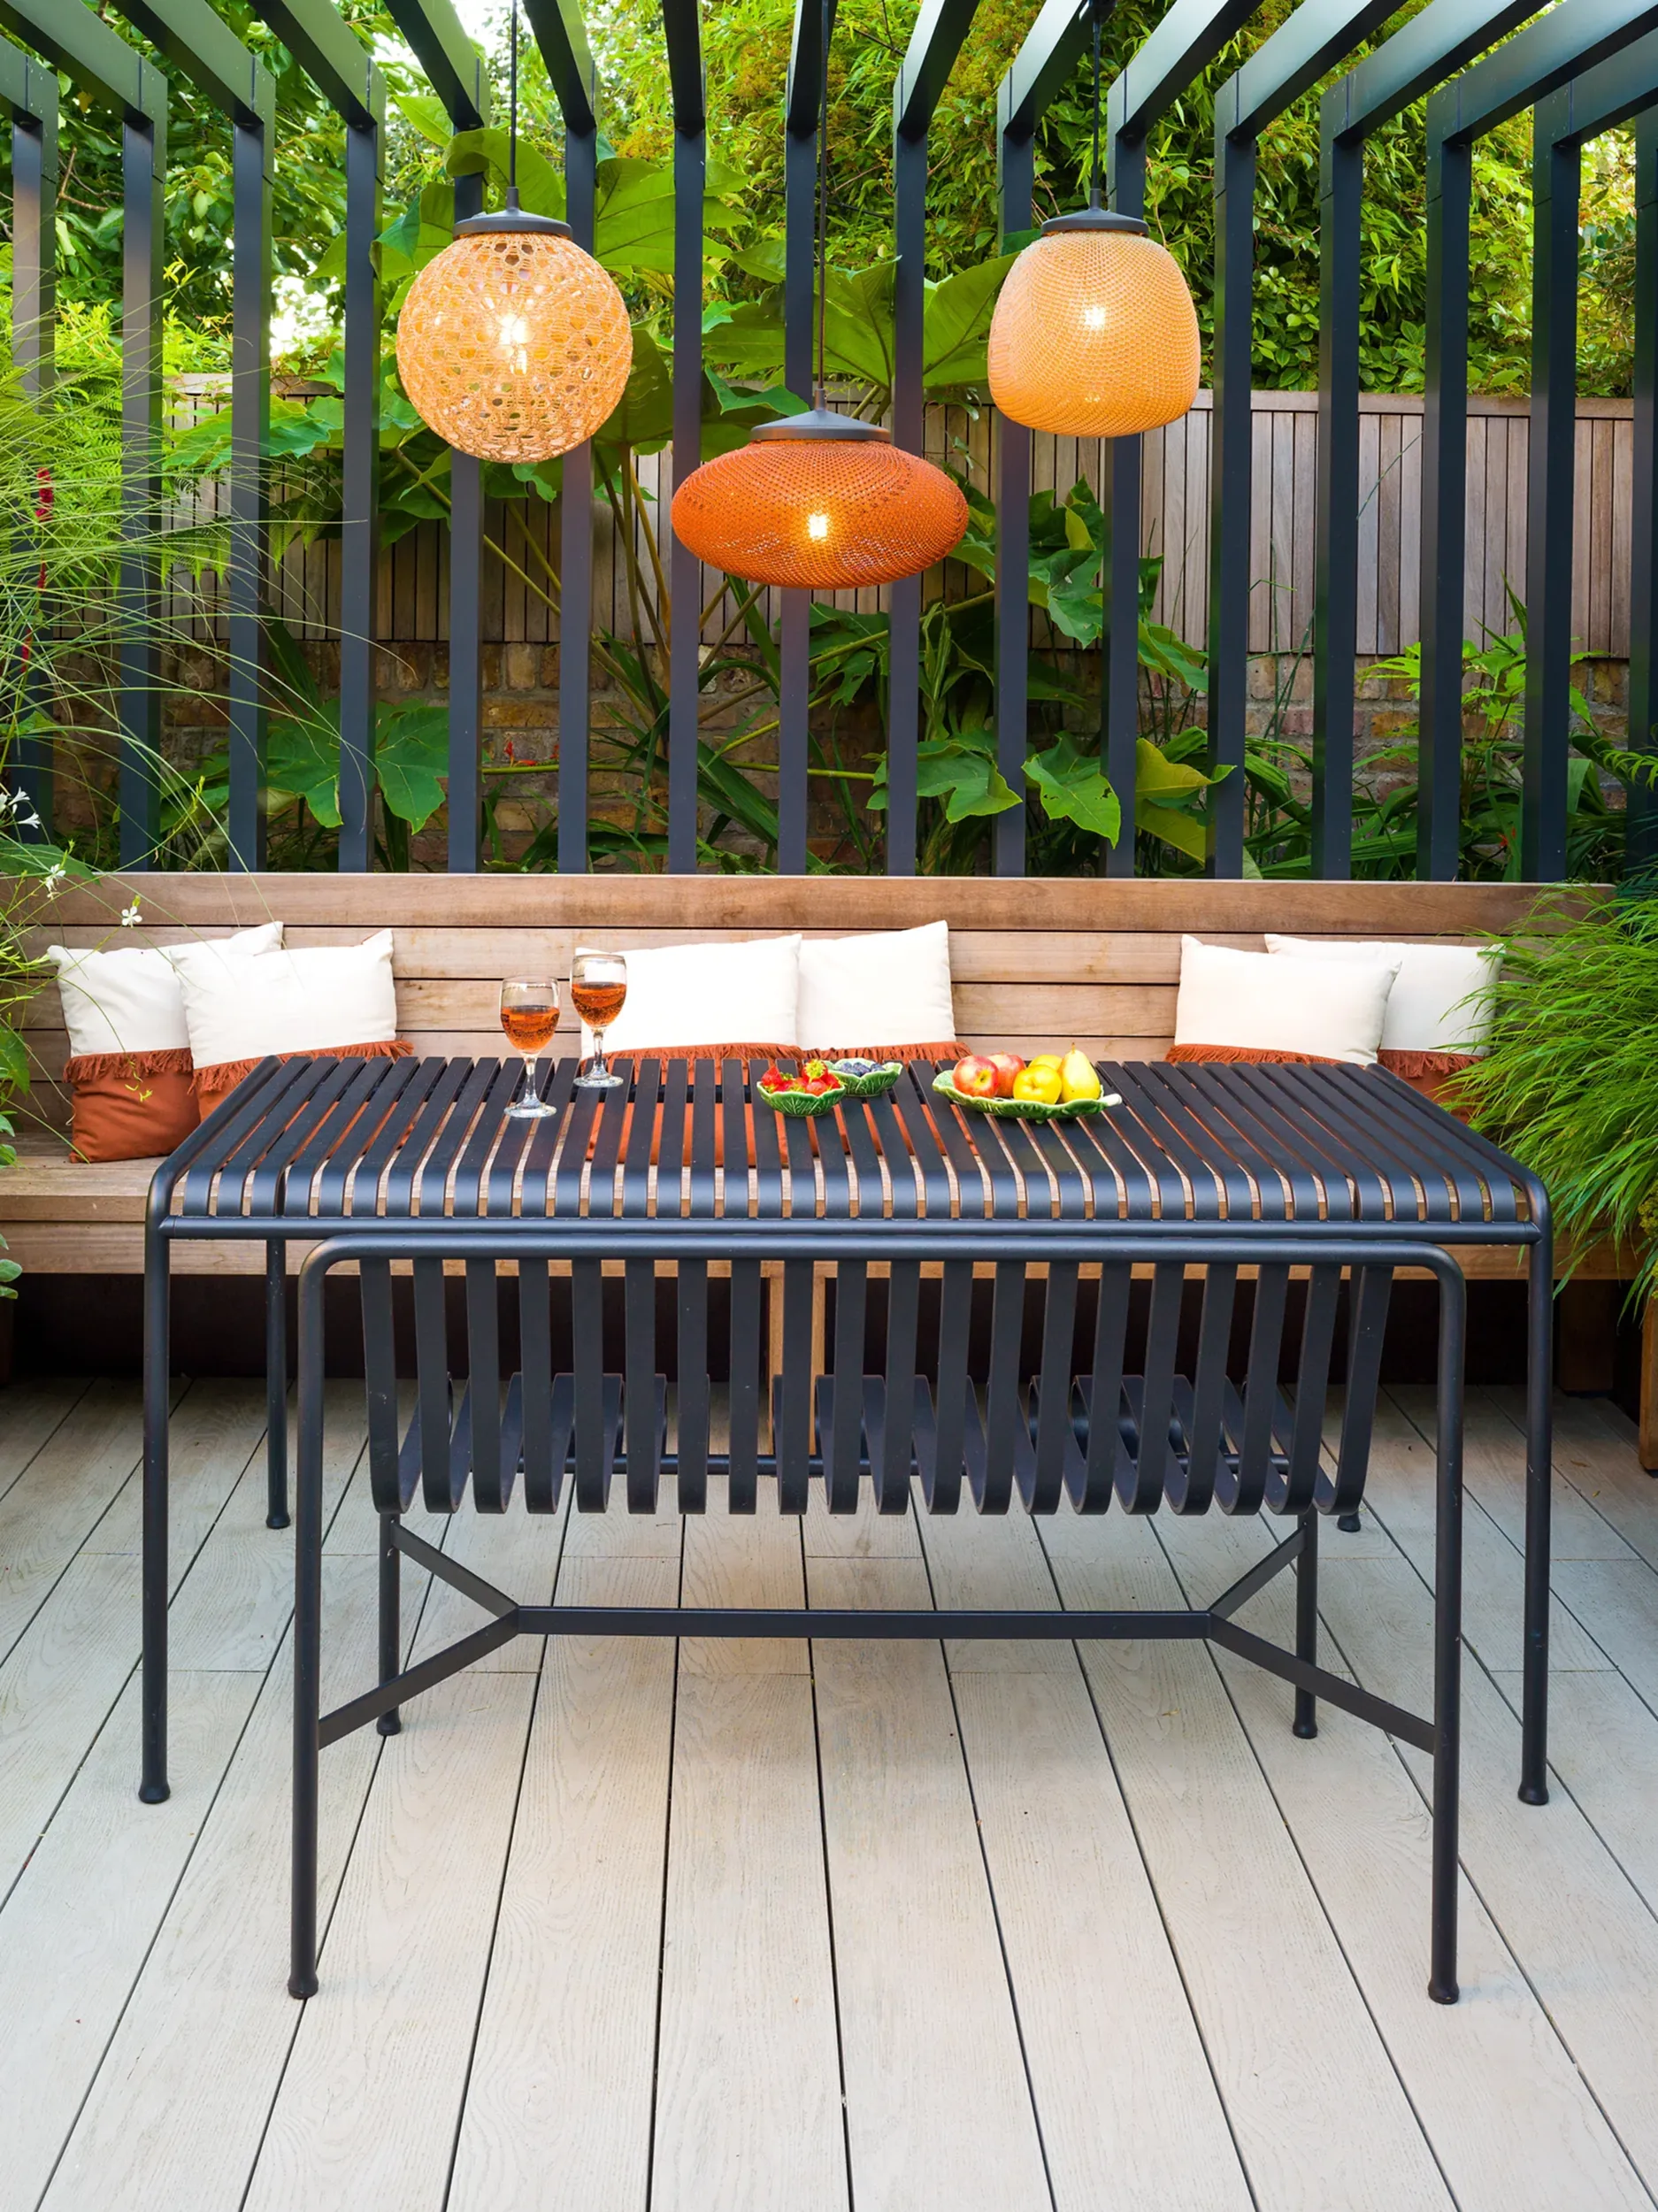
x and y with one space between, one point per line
1566 1083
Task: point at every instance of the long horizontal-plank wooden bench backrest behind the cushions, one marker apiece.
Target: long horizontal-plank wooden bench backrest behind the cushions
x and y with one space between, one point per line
1038 961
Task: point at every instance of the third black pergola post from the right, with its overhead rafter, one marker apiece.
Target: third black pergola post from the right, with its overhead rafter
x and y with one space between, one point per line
1562 45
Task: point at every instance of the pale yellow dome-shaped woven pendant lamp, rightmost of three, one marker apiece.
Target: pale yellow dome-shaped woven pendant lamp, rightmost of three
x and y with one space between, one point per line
1095 333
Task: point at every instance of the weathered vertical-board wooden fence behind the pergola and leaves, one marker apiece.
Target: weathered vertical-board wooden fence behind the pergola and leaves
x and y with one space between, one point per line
1175 523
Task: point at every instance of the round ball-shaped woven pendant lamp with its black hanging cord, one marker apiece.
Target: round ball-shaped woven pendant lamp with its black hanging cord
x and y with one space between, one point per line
514 344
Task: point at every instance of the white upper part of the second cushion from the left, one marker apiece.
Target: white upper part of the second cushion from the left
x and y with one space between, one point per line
308 1001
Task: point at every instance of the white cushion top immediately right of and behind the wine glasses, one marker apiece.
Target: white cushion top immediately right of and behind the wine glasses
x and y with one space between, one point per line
686 997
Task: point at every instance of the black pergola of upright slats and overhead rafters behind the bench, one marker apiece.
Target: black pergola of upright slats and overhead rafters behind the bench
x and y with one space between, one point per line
1575 67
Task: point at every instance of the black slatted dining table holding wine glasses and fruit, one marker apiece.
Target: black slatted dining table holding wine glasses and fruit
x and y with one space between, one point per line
1268 1158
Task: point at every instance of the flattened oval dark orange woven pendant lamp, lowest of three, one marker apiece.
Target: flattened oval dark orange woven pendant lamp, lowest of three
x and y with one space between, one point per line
819 503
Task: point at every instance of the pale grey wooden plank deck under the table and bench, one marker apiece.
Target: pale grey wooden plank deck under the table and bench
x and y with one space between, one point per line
618 1928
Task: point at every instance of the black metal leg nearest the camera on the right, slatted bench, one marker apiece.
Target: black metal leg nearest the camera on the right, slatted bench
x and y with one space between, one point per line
1447 1642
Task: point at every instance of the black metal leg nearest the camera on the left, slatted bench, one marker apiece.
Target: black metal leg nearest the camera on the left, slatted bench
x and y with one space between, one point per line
308 1636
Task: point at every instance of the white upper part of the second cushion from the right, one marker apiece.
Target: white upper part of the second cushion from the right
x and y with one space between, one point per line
1274 1003
